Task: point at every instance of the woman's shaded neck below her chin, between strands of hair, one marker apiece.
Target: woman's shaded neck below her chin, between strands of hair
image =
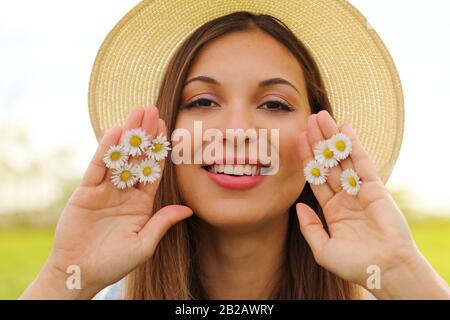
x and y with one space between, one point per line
245 265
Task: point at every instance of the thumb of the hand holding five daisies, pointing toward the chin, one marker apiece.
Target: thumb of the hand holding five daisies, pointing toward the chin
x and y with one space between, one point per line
159 224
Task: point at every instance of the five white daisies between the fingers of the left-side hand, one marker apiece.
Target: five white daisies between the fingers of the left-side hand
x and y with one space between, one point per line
135 142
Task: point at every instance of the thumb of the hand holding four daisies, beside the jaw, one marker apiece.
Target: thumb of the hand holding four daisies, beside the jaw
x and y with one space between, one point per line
312 229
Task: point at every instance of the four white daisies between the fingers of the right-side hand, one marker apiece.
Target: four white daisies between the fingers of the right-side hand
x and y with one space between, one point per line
327 154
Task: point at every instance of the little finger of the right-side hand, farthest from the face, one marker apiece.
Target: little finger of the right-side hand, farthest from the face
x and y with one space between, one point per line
359 158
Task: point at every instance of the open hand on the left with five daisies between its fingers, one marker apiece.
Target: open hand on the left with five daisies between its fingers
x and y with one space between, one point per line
103 231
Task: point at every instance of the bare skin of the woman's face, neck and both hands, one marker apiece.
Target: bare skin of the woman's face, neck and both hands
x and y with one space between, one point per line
108 232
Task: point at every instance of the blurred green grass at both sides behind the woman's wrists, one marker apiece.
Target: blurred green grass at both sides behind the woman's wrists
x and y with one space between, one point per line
24 251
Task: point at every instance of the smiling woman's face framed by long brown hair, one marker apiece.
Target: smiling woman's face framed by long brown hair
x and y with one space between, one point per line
238 63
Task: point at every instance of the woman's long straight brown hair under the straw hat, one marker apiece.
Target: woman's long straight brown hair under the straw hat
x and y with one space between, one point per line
172 272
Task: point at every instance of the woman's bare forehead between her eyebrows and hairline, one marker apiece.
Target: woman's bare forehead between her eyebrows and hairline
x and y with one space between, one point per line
246 54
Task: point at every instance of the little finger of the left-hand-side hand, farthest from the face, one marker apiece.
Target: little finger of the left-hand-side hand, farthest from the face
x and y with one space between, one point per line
95 173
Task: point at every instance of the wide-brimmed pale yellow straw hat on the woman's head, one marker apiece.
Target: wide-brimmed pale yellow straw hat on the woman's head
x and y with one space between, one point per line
360 77
